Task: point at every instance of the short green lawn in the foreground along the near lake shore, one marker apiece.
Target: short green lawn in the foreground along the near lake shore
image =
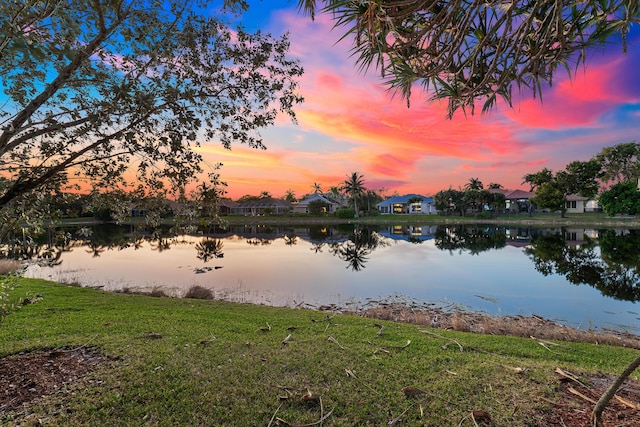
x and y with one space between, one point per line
241 377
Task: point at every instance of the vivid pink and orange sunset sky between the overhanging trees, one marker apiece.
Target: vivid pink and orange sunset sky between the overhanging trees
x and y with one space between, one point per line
349 123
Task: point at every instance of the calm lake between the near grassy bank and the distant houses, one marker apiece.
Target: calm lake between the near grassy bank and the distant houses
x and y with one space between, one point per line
582 278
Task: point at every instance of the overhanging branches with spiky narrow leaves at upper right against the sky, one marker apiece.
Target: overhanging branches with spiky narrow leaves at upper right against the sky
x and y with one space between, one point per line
466 51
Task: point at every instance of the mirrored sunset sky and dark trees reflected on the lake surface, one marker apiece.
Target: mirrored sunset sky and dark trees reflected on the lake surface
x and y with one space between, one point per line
379 260
